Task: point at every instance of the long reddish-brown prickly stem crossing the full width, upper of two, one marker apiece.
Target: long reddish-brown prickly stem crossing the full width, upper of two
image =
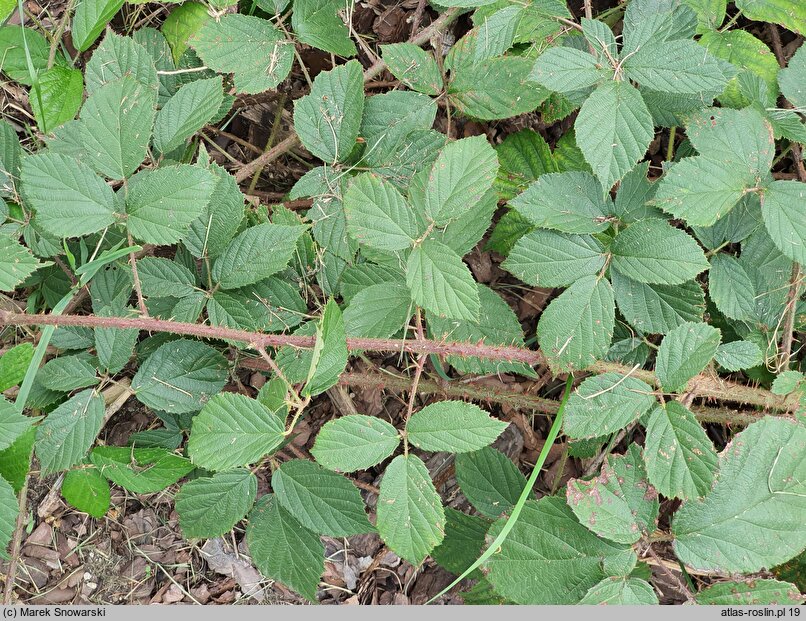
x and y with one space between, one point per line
706 387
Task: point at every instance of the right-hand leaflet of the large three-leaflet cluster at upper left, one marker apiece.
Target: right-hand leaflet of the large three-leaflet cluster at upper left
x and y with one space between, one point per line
162 203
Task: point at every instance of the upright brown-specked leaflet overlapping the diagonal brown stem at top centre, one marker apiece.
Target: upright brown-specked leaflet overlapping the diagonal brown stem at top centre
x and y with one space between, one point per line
328 119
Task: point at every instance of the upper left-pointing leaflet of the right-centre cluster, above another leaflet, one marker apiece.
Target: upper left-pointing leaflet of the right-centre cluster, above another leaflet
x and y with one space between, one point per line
570 202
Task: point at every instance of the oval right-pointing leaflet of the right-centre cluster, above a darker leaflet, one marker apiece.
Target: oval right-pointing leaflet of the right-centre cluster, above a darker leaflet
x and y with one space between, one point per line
655 252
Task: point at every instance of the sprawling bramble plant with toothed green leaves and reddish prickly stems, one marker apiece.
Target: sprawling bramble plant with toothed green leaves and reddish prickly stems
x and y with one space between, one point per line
661 209
